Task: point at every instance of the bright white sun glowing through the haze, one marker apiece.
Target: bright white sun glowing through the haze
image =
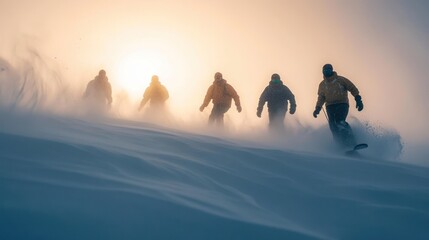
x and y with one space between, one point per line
134 71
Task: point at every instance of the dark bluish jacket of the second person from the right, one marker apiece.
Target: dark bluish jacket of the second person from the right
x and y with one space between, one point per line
277 95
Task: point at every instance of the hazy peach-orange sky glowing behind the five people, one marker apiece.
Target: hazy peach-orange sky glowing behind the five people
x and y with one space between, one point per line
381 45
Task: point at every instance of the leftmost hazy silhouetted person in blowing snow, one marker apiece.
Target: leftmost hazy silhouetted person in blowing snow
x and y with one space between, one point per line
99 91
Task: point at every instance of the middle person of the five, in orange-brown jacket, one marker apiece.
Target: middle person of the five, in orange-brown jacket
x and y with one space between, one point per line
221 94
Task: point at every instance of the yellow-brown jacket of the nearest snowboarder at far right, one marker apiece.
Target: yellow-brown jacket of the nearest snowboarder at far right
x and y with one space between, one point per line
334 89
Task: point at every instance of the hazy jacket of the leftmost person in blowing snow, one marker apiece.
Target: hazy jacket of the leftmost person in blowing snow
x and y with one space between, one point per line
99 90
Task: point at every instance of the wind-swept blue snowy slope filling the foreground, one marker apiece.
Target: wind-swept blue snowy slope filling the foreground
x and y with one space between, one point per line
70 178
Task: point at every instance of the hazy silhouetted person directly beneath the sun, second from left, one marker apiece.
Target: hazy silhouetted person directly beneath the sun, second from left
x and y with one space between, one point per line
156 94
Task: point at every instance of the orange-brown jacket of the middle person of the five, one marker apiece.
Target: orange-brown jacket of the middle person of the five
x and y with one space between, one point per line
221 93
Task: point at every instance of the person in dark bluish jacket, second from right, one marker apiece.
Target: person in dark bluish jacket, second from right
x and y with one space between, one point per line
277 95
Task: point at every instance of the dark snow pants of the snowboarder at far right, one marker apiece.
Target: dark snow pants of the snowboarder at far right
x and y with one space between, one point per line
341 130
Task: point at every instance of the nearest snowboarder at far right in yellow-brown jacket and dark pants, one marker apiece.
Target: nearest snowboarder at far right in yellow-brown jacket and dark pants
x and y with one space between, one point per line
333 91
